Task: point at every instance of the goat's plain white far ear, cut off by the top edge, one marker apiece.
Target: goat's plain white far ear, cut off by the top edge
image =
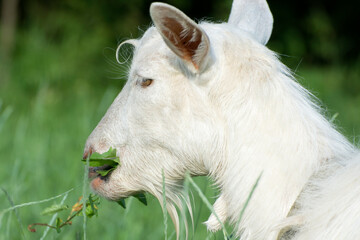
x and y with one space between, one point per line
253 16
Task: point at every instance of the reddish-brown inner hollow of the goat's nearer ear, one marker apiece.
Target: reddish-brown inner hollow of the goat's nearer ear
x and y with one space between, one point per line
186 41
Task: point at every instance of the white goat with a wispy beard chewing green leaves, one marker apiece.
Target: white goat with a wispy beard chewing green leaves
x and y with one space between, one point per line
212 100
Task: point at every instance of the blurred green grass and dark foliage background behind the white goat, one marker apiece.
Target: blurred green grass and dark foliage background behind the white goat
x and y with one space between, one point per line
58 75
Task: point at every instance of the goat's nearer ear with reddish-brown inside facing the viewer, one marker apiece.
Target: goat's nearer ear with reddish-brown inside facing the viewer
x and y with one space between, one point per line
182 35
